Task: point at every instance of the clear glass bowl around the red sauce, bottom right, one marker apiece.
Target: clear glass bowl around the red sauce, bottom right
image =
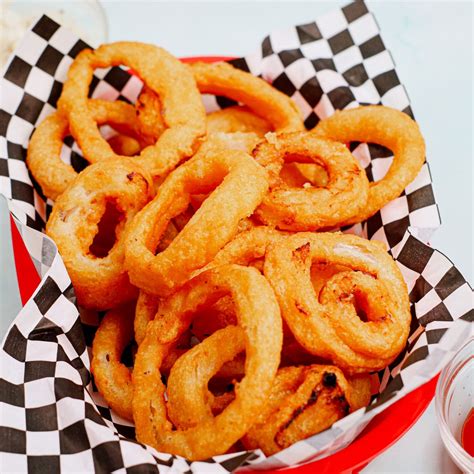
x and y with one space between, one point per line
453 402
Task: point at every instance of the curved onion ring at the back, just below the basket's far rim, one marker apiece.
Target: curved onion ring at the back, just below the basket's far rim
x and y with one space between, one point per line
259 96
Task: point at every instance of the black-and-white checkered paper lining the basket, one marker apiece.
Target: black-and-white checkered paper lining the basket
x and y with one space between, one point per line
52 417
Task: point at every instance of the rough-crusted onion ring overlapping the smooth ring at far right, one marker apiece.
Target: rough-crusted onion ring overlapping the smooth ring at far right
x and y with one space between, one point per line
288 208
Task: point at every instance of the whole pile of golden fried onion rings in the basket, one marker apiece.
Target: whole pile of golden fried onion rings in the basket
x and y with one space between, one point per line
248 330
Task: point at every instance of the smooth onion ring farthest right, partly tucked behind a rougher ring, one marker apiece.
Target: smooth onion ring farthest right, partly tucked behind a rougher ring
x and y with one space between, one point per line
384 126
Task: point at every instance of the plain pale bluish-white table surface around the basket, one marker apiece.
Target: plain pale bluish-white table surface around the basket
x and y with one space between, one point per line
431 43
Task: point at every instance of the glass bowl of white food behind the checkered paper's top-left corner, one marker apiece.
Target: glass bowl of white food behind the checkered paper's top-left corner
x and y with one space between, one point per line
86 18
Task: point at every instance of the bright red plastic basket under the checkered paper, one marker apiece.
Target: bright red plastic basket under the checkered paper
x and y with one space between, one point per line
381 433
